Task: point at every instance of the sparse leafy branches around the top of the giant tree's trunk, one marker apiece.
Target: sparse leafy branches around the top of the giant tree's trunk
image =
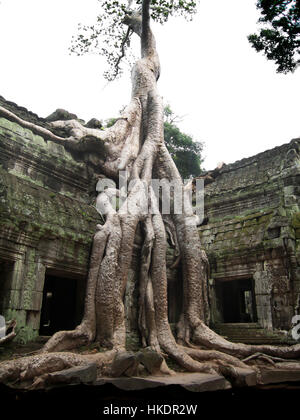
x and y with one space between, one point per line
109 37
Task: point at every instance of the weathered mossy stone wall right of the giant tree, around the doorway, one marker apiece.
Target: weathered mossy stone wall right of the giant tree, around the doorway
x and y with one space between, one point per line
252 232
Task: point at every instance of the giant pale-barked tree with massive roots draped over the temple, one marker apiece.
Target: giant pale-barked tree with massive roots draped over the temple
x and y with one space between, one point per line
135 143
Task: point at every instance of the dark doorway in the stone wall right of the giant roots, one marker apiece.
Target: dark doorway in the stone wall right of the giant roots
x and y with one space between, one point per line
237 300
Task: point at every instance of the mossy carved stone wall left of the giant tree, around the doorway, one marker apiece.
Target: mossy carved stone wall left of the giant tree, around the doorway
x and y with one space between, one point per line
47 221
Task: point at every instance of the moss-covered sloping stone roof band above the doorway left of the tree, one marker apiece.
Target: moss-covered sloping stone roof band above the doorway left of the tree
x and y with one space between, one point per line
26 207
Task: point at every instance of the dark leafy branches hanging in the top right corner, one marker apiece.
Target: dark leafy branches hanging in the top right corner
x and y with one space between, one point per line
279 38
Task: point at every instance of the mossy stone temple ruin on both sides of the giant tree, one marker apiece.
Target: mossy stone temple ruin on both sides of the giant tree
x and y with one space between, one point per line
251 233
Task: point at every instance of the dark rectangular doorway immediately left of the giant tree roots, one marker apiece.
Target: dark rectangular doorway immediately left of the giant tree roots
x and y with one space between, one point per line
60 307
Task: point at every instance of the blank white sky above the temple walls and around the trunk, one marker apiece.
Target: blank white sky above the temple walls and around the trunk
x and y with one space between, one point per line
231 97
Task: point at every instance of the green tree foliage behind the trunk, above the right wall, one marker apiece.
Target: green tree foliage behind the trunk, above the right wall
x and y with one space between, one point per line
185 152
